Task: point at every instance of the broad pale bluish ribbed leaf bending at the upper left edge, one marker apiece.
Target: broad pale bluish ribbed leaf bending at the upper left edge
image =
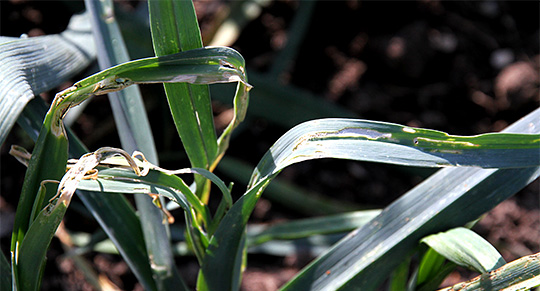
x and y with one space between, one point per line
34 65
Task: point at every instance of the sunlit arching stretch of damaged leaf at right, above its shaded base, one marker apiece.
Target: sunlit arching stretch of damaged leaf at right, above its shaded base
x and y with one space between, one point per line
396 144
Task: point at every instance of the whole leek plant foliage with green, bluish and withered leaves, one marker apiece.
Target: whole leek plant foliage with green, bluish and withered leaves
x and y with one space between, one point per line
427 221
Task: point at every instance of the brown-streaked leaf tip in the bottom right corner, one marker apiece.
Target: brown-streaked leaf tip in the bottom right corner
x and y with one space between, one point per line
521 274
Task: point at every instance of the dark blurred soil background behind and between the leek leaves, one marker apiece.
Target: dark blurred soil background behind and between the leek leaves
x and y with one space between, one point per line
461 67
